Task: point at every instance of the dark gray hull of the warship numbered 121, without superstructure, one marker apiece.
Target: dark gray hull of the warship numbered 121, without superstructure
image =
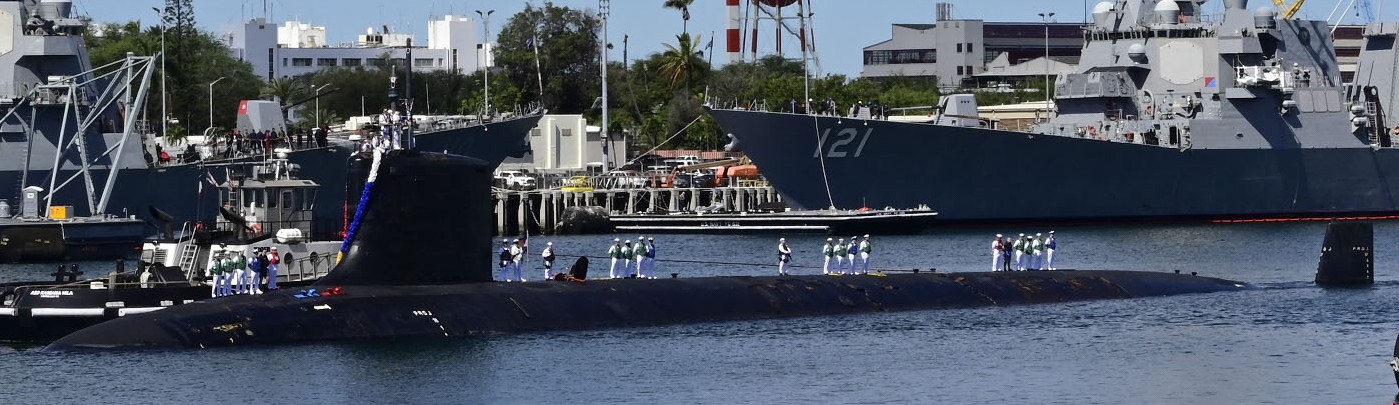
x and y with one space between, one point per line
970 174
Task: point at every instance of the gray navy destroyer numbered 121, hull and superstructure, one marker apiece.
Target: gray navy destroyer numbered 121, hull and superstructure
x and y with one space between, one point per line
1170 116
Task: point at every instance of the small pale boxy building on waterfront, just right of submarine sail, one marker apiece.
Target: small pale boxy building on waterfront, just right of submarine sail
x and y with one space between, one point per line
564 142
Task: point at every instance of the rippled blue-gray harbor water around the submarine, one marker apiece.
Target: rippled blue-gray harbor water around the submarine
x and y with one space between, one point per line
1285 343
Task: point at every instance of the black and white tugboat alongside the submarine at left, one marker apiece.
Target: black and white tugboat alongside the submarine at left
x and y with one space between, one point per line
264 211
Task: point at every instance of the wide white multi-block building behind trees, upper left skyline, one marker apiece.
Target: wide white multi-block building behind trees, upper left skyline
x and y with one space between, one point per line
297 48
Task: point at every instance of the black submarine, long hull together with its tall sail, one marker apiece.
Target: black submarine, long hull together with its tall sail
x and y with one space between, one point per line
413 270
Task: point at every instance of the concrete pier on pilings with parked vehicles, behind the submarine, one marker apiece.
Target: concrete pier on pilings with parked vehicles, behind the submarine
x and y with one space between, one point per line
541 211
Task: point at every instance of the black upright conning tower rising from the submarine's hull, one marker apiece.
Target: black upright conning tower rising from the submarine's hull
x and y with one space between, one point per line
427 221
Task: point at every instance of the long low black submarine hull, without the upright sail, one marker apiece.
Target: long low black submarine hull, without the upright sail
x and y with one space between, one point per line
339 313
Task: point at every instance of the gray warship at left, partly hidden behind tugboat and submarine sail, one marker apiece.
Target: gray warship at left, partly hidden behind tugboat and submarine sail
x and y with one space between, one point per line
75 131
